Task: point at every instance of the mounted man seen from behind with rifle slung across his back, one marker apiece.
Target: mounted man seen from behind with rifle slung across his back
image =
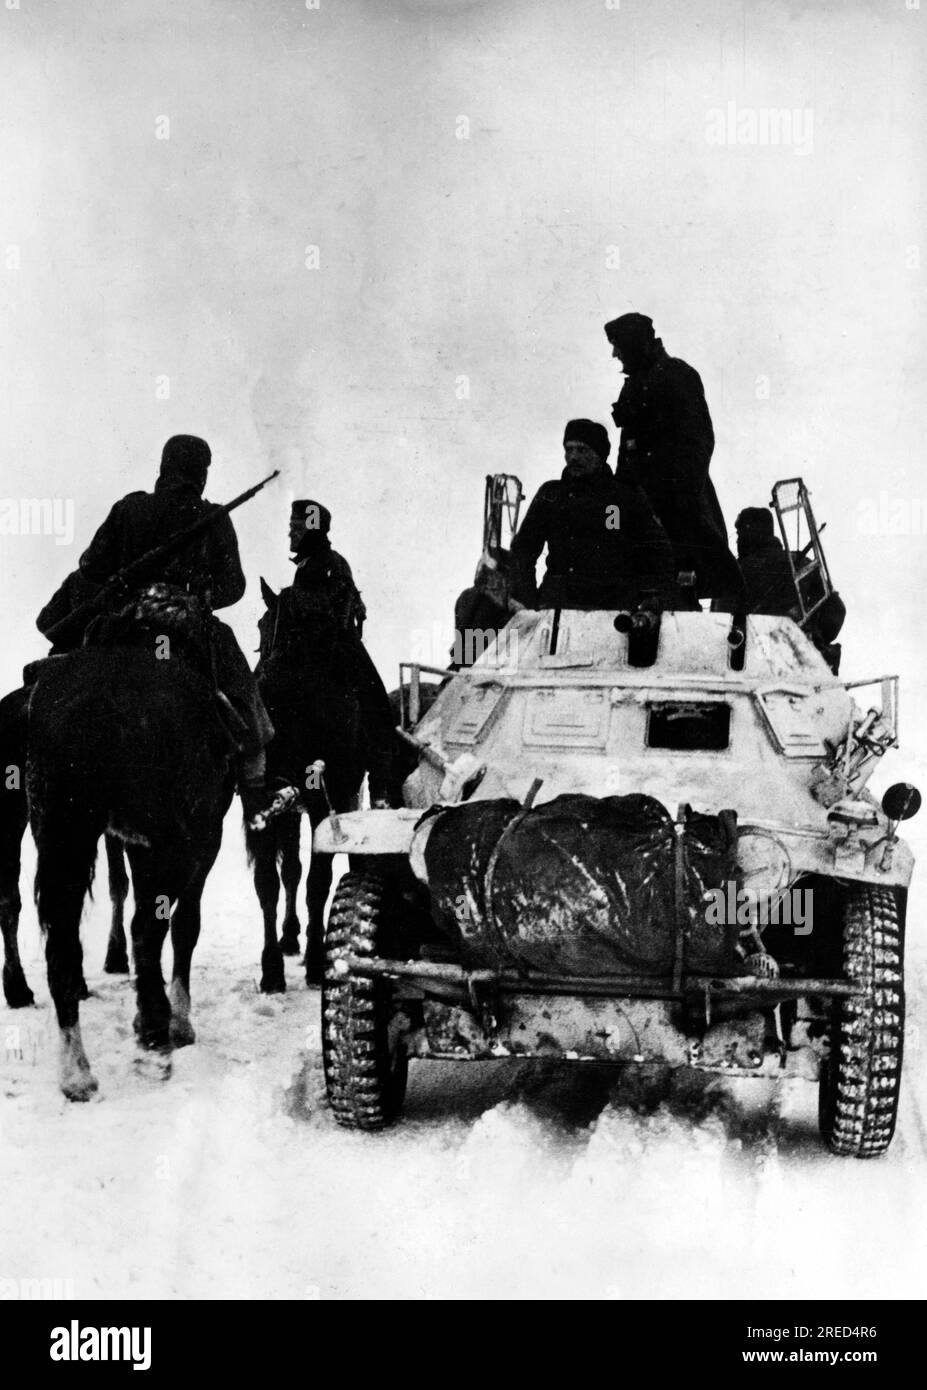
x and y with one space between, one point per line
181 597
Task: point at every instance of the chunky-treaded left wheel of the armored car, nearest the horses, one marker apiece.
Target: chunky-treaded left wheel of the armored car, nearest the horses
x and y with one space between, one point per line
366 1063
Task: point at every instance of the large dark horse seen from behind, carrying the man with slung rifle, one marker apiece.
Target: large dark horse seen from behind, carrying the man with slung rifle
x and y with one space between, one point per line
130 746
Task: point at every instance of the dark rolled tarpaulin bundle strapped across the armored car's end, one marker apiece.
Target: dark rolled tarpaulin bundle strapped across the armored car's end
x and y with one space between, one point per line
583 886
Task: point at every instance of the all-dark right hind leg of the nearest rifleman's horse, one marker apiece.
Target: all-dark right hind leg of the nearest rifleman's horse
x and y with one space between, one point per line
154 879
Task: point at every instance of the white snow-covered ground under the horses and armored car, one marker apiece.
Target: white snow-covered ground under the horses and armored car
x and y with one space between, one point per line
233 1181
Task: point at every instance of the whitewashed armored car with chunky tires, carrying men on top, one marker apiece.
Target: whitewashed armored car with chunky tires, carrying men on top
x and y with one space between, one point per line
633 846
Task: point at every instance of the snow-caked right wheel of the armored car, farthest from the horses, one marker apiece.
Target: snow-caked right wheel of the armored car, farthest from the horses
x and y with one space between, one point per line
858 1100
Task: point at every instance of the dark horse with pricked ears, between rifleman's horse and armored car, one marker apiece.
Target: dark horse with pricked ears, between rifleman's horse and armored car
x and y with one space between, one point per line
327 704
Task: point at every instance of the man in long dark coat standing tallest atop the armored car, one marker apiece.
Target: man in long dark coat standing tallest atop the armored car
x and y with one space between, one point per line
666 448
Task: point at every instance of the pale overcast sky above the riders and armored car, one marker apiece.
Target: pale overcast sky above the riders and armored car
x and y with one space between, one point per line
375 244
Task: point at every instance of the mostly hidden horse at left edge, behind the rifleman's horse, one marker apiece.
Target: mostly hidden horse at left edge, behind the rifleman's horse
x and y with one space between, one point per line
15 818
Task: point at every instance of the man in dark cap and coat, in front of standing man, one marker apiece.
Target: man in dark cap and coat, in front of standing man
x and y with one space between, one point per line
605 547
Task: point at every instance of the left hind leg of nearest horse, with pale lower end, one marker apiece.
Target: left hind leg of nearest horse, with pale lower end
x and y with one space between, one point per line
67 856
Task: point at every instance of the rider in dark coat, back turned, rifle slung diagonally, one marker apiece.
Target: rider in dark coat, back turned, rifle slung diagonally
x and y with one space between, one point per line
208 571
